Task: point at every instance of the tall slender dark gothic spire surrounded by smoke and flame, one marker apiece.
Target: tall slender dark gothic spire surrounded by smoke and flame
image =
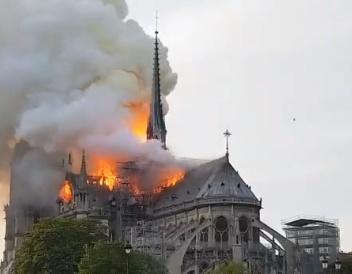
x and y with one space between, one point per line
156 124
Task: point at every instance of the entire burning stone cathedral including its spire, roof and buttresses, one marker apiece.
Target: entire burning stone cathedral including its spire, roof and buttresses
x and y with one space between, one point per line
210 215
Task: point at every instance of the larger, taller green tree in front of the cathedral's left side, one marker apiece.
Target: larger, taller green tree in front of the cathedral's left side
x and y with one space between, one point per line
56 246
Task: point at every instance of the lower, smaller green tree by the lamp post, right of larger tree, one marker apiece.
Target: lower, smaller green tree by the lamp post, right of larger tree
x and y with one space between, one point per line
110 258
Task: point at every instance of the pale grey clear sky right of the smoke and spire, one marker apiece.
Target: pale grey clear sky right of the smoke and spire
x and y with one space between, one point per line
253 66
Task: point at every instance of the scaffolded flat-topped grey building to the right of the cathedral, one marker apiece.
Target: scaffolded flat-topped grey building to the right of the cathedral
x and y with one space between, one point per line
318 237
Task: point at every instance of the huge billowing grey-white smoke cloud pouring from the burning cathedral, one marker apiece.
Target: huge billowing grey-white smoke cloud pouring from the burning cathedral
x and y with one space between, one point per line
67 70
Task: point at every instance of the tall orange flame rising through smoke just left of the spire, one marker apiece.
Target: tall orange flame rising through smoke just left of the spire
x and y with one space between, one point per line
138 121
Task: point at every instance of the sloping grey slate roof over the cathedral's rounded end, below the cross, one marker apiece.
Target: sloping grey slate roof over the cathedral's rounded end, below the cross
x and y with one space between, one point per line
214 179
